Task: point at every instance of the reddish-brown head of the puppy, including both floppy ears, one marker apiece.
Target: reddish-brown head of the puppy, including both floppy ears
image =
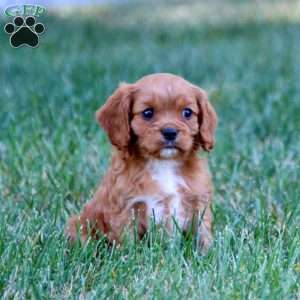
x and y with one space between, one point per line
161 116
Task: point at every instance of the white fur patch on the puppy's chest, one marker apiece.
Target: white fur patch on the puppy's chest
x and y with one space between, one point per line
166 174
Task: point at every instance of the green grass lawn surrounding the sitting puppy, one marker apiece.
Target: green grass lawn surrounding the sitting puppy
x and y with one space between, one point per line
53 154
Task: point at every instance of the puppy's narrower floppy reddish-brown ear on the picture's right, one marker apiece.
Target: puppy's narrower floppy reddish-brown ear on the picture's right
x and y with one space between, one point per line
207 120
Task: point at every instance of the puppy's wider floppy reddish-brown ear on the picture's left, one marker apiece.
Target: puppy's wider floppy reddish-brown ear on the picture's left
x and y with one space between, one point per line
113 116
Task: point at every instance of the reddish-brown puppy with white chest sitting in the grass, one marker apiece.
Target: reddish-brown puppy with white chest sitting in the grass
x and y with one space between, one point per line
156 127
